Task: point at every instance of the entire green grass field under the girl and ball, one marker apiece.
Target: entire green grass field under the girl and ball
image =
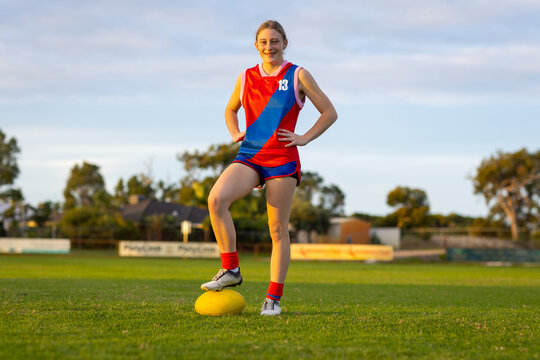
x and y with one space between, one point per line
104 307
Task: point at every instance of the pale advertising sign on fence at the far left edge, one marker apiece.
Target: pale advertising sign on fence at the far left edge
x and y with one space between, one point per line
34 246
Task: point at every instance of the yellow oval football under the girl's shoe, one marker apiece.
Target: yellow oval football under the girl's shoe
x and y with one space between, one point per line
224 302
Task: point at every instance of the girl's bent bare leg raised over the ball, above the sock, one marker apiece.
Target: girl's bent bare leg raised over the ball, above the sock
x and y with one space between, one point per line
235 182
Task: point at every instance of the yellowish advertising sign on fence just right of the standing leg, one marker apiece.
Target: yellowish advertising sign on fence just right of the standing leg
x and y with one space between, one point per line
341 252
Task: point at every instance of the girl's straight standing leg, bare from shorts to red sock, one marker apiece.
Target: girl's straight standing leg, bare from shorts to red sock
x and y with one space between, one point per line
279 195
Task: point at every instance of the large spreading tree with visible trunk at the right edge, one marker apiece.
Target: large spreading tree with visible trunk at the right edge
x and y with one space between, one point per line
510 185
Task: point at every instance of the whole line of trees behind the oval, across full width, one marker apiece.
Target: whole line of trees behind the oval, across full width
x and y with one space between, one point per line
508 182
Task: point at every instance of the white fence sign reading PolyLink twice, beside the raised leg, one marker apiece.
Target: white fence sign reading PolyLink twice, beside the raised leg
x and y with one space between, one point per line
168 249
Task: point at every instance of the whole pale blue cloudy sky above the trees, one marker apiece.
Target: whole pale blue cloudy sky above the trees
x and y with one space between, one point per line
424 90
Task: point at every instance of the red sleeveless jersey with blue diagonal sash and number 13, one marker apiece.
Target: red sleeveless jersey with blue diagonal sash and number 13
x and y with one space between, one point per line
270 102
